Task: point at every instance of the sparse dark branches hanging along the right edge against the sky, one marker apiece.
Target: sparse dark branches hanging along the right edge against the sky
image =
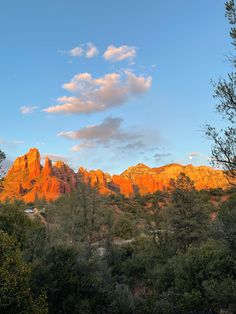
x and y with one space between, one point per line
224 140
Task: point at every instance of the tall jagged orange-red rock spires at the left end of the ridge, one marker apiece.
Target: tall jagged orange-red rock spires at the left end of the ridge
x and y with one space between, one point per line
28 180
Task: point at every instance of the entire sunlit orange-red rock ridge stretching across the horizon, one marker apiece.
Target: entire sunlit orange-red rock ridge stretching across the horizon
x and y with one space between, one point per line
27 179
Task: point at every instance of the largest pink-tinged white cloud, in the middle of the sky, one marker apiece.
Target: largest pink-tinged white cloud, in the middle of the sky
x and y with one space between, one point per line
94 95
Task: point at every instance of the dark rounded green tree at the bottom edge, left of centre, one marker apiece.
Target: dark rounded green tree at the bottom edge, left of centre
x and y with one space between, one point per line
72 284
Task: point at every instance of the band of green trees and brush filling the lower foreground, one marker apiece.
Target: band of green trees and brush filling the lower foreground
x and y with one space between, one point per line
169 252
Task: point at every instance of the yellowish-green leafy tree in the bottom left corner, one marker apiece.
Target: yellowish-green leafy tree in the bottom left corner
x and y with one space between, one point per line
15 291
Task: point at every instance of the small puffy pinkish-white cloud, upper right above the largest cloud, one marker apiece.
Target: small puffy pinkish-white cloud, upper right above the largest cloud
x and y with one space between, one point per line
116 54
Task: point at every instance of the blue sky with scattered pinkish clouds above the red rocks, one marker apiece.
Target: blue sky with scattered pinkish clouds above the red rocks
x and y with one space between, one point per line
108 84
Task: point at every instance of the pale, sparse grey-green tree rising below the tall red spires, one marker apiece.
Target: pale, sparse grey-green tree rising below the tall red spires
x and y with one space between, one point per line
76 218
